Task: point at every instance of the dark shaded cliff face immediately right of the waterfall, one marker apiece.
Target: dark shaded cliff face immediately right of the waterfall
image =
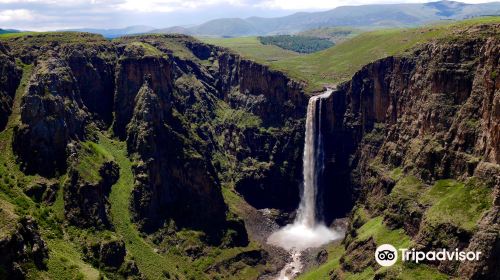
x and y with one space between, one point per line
350 113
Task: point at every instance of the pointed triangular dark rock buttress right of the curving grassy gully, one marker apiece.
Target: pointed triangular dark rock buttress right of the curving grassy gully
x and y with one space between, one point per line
172 179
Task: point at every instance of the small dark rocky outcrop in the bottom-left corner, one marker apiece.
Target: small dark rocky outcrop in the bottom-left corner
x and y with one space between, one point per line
23 246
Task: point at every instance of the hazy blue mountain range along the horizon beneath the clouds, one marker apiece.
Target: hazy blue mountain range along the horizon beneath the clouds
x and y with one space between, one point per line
365 16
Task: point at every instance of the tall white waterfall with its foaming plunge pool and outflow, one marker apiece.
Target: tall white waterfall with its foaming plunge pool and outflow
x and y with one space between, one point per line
308 230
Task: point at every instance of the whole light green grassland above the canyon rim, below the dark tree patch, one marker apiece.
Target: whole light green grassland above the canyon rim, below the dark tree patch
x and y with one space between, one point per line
339 63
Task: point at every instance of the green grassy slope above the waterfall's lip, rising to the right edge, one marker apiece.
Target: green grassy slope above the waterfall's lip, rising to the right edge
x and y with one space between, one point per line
339 63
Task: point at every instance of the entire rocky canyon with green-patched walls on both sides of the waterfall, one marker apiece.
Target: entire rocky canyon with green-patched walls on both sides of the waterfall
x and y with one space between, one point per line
159 156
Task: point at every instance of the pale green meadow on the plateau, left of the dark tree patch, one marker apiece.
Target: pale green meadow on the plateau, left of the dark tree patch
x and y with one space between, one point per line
252 48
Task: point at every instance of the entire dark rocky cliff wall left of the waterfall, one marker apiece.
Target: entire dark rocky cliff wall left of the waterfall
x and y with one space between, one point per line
194 118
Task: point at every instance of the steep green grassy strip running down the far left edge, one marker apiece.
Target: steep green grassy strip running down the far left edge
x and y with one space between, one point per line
65 261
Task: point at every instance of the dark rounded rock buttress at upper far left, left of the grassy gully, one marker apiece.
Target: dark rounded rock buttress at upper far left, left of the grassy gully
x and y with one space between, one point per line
52 115
